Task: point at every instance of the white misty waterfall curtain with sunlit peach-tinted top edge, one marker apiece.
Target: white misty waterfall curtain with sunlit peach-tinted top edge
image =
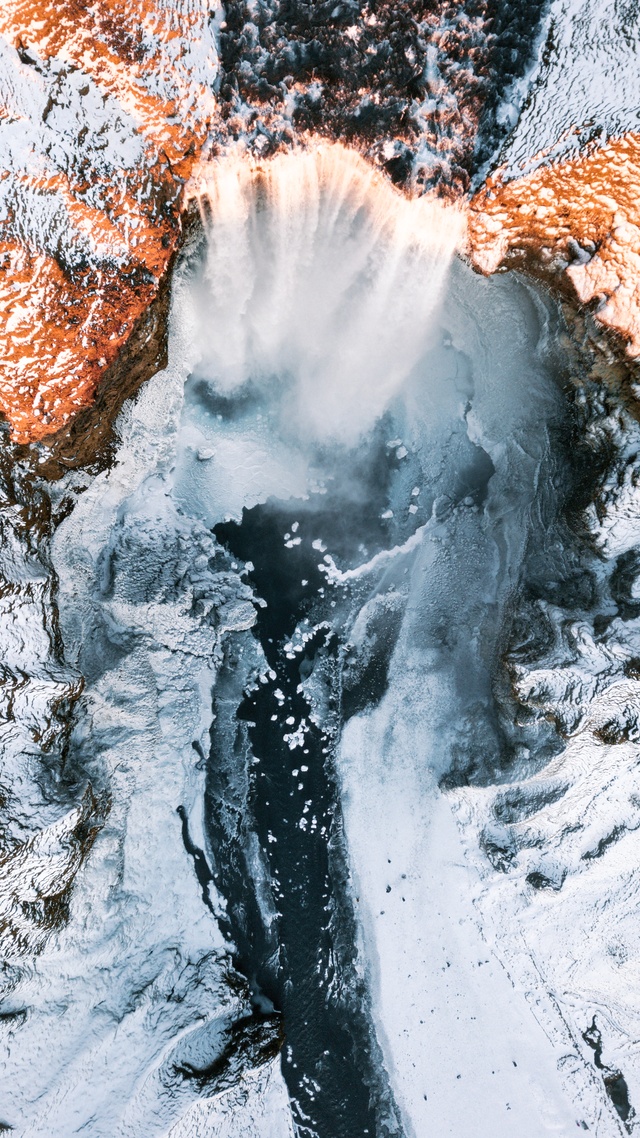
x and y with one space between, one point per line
321 281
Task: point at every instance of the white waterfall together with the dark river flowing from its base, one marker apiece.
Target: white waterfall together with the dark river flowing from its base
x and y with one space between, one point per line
315 304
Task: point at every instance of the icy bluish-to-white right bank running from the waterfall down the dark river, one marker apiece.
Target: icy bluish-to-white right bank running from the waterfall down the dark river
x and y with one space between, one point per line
473 1044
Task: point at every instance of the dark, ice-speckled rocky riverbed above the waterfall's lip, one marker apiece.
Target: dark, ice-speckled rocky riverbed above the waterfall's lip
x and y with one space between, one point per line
414 86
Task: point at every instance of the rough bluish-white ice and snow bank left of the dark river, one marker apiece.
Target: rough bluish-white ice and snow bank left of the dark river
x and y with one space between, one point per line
137 984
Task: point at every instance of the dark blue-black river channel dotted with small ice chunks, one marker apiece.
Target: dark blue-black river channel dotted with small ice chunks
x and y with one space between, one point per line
305 962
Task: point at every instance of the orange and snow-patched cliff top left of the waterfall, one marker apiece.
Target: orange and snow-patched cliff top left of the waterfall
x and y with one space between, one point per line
104 111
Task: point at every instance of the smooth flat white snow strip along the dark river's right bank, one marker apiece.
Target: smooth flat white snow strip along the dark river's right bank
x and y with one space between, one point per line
463 1044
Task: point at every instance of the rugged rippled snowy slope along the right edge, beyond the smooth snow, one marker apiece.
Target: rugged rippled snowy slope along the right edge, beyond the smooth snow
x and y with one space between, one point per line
573 829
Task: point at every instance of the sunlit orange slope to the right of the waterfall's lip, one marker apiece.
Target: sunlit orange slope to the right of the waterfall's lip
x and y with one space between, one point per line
575 224
